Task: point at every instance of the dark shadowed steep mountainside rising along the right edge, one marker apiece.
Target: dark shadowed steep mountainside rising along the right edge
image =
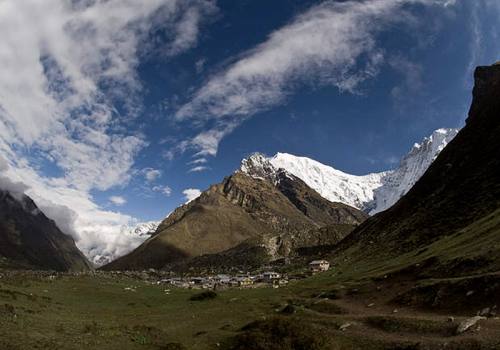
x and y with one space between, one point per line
449 222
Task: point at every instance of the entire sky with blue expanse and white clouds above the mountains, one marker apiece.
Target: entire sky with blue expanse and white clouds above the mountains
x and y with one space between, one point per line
115 112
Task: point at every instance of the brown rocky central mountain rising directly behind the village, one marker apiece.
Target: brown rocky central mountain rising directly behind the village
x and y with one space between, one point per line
277 215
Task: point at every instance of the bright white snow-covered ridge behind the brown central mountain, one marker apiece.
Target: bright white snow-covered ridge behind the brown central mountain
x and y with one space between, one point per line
372 192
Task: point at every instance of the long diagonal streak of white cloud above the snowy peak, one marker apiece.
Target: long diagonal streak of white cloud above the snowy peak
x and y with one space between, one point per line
333 43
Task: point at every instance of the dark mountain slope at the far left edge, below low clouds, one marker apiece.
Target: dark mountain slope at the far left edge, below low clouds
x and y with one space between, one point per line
31 240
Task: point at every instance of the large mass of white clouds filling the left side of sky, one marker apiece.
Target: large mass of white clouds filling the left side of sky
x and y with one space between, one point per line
64 66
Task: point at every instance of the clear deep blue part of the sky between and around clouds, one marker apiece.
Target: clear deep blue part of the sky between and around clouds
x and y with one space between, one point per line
357 133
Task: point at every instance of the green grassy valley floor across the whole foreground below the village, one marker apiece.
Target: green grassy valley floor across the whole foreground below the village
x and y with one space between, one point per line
321 312
